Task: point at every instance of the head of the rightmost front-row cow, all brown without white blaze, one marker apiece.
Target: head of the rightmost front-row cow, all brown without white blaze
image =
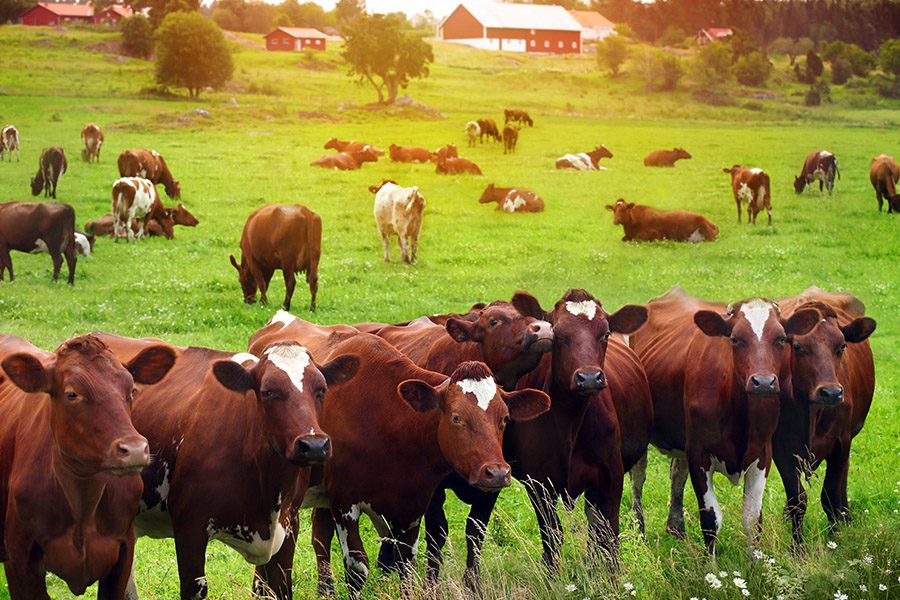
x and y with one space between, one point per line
816 356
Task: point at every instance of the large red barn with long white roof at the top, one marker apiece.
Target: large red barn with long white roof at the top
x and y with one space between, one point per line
513 27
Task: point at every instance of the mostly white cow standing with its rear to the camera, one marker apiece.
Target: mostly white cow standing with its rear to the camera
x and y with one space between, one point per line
398 211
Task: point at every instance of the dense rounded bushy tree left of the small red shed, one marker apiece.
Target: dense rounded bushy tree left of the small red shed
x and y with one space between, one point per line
191 52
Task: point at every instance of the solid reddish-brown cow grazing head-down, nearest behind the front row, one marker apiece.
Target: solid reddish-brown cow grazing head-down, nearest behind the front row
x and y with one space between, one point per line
280 237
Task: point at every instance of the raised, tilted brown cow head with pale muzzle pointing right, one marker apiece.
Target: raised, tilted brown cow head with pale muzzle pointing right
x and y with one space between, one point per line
513 336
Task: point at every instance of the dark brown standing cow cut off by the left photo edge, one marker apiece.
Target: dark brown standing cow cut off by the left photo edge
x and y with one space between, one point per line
30 226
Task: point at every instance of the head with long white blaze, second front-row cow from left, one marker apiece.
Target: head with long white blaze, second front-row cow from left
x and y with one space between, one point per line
290 389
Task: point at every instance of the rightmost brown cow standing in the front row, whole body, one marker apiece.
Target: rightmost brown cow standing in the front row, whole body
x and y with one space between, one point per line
833 376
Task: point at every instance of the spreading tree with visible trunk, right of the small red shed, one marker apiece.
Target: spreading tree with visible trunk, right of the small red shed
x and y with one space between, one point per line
381 52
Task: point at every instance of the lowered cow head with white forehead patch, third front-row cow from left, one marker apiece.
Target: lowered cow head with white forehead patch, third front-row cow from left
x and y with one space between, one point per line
474 413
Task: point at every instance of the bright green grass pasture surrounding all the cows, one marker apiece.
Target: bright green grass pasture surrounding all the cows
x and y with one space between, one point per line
258 152
